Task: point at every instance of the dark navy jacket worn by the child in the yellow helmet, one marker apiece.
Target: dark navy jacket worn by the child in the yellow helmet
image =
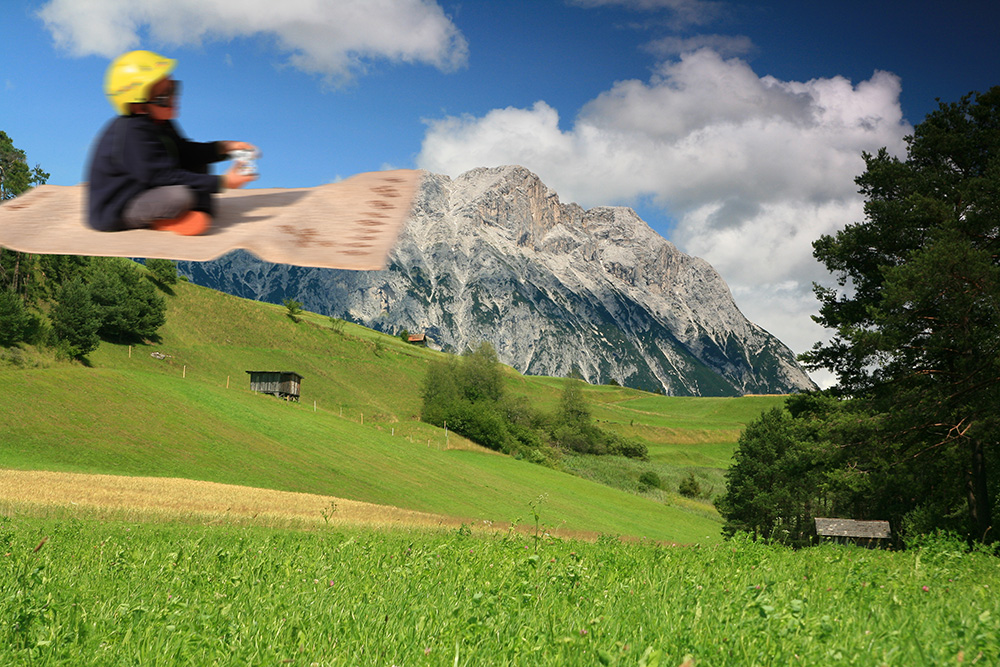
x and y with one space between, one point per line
135 154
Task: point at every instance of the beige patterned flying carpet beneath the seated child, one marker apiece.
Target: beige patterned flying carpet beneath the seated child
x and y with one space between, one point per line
352 224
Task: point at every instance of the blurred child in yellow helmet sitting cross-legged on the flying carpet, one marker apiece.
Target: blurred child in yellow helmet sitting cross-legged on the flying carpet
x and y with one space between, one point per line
143 172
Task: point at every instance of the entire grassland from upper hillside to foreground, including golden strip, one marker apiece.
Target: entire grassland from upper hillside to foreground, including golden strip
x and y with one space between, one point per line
511 564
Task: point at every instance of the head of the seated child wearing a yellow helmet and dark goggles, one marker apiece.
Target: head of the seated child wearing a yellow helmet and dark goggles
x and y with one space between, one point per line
140 81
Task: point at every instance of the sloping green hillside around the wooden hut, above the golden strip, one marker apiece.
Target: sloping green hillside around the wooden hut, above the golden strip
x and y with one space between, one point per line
188 413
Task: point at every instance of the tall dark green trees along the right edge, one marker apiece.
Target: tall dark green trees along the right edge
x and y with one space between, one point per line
916 344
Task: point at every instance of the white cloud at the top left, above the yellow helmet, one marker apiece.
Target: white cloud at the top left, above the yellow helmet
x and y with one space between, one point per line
332 39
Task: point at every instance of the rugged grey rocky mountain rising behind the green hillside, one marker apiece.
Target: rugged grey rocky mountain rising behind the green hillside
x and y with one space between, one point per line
494 255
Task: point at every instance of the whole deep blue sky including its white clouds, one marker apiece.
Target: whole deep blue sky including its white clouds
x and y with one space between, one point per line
734 128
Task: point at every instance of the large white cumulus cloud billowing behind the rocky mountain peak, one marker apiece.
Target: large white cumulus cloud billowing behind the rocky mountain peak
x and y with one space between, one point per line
750 168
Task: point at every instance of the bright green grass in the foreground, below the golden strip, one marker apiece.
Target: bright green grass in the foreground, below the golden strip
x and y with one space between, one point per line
78 592
